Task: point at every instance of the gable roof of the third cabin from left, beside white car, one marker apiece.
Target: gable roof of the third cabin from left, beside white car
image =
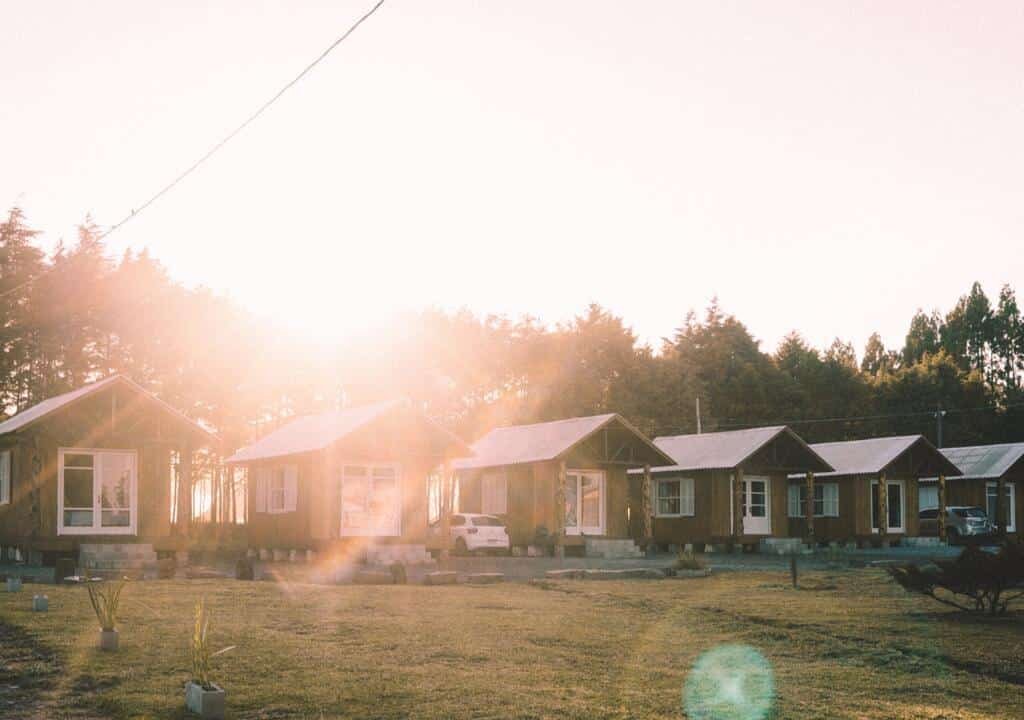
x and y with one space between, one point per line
519 445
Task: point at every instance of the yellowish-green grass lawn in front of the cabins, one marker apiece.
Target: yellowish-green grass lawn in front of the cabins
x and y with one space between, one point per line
846 646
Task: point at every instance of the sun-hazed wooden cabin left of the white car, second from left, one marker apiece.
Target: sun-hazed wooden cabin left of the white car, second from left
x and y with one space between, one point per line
355 482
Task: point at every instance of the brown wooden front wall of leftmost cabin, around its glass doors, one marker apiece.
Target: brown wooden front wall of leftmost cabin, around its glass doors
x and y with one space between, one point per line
135 425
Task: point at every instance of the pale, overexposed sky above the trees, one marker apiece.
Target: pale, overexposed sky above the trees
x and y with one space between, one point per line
823 167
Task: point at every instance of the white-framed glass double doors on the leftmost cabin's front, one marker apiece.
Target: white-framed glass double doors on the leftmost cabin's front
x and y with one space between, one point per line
97 492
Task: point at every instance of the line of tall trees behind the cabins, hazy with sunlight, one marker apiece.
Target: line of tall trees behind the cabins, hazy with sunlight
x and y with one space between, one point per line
75 315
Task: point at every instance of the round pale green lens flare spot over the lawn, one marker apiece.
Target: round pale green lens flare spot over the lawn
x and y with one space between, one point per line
730 683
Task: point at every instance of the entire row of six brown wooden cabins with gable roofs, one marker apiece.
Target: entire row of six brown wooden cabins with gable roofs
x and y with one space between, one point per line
94 468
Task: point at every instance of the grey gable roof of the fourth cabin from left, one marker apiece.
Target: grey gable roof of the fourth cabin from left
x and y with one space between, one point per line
728 450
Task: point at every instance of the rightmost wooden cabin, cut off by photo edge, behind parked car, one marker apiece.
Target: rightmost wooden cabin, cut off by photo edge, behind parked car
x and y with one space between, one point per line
986 470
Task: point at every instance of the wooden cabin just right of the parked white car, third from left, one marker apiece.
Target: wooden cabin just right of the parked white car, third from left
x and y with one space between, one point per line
564 483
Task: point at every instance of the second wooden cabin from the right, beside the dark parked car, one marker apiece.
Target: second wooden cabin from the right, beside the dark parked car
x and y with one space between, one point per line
873 479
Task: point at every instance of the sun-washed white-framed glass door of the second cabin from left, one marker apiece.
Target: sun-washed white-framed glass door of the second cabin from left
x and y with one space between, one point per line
371 501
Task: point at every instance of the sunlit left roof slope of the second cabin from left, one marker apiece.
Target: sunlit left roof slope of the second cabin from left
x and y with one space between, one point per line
312 433
